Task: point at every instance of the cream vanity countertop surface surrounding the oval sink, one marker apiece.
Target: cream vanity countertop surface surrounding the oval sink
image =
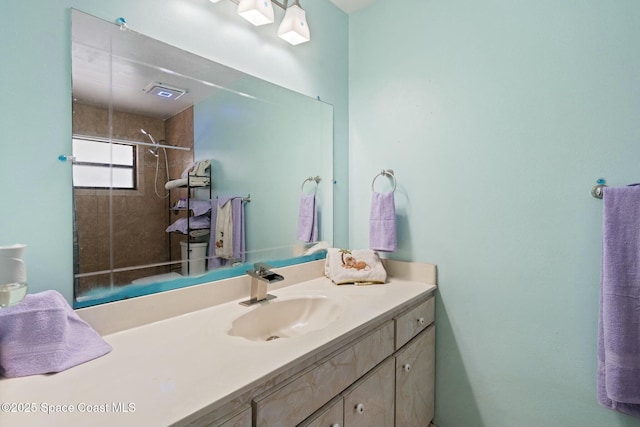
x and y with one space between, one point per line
163 372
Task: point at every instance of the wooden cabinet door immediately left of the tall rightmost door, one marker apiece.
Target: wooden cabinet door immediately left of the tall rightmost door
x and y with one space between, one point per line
370 401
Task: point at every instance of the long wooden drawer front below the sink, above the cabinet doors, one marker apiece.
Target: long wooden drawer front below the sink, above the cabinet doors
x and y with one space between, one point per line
306 393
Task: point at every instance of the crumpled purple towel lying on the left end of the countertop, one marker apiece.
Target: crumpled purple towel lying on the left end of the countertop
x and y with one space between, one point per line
42 334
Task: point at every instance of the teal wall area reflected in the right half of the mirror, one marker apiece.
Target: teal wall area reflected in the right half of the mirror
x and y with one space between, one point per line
266 142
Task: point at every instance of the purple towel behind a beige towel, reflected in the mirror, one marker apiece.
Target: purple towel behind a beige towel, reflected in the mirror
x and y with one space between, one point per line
239 243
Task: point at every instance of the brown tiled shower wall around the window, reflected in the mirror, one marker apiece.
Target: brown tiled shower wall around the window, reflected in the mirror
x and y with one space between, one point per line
133 221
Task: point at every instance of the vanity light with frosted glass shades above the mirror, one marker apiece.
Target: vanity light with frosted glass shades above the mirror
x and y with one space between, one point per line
293 28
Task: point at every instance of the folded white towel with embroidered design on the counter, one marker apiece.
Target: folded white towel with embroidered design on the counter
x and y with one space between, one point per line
359 267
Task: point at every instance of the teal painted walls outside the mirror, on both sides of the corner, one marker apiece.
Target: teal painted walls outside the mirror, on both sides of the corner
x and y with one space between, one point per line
497 116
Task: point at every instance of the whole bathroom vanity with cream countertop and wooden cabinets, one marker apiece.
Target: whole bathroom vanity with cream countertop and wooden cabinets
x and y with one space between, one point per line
185 358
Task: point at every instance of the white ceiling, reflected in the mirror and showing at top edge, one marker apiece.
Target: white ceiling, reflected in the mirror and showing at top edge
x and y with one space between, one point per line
128 56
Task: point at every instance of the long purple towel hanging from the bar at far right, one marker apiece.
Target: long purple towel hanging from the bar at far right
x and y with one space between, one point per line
619 324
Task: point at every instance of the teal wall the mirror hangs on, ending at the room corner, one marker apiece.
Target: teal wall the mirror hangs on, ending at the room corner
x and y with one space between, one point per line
35 101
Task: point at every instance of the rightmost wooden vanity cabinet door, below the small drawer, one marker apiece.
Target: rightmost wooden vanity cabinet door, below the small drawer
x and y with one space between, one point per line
415 373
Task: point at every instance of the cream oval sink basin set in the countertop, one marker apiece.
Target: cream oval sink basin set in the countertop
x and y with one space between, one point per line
286 318
